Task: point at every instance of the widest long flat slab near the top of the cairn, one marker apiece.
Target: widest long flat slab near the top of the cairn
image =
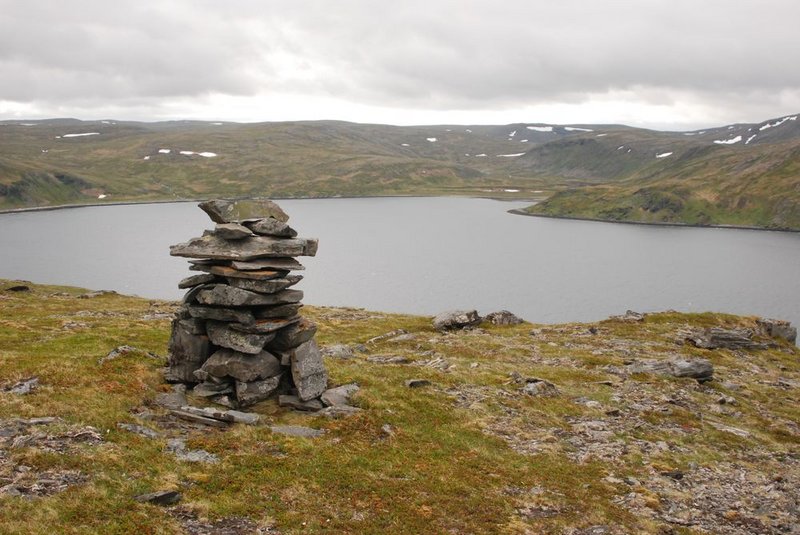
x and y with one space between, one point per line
245 249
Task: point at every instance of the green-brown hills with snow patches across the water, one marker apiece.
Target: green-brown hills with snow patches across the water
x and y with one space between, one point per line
742 174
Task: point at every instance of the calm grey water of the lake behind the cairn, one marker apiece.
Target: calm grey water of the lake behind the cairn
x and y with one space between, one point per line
426 255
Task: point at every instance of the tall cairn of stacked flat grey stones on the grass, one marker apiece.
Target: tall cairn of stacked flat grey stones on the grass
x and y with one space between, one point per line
239 337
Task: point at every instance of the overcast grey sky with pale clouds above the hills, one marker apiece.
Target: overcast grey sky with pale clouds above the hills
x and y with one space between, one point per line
675 64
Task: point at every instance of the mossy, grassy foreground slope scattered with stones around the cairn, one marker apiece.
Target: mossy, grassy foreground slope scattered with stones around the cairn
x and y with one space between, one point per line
612 452
